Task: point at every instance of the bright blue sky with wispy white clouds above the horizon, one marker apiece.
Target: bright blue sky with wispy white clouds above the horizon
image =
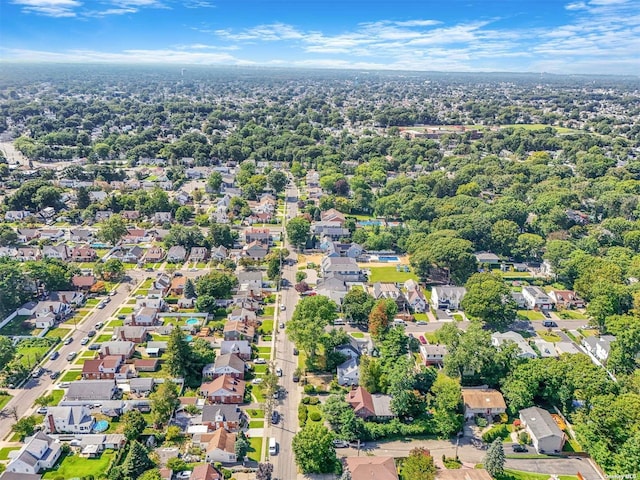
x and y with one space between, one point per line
557 36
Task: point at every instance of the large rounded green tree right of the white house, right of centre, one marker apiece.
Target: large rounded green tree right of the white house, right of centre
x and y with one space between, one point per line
489 299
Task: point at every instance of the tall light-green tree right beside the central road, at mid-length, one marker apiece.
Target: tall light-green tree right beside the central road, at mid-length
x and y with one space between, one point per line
306 326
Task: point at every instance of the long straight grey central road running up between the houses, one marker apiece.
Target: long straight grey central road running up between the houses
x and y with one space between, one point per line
287 406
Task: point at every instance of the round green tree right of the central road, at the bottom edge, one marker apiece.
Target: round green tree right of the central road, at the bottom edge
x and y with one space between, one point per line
314 450
